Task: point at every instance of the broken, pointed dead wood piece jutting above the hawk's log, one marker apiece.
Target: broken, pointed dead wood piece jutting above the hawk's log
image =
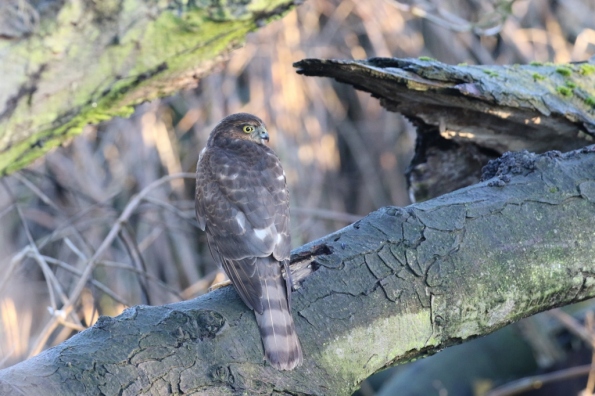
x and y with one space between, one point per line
467 115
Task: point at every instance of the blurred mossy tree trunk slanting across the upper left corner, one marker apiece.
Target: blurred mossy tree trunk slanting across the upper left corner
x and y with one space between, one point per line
71 63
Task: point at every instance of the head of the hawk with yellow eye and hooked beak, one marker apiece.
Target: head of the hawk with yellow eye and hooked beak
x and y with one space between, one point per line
240 126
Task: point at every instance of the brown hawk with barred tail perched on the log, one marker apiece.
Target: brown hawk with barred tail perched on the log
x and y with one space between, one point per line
242 203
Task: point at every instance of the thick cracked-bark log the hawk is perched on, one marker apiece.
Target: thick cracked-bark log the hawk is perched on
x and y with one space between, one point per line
399 284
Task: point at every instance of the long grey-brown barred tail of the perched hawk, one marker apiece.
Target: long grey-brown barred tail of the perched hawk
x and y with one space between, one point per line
281 344
